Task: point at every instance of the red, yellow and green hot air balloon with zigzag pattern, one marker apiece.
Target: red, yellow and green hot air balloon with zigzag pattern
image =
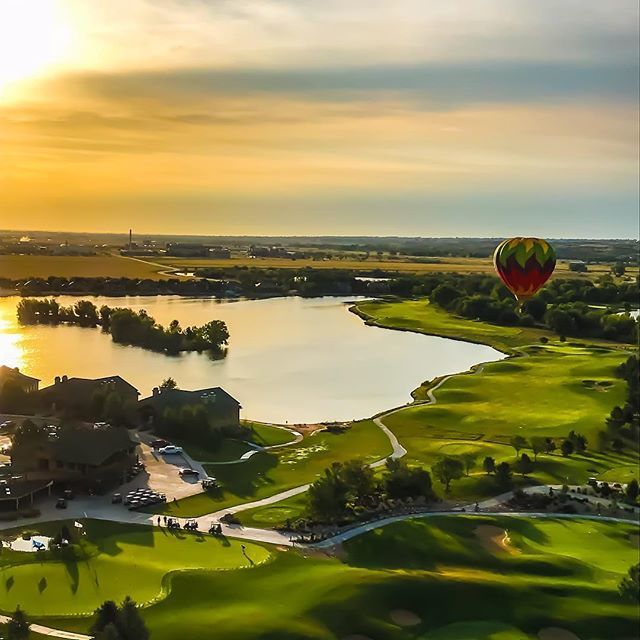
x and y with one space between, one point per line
524 265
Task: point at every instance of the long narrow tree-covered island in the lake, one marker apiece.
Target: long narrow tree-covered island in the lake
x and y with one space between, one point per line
129 327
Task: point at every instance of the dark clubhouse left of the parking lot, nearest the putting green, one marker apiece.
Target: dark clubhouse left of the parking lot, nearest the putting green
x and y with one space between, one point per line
90 456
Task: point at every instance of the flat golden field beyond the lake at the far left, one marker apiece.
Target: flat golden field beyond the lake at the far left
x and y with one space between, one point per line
19 267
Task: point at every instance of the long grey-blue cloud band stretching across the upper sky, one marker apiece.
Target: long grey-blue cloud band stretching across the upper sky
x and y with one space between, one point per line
433 86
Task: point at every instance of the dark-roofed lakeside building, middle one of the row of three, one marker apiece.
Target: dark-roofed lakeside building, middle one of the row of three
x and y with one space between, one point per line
76 394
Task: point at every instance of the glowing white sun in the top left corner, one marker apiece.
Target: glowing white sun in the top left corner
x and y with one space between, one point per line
33 37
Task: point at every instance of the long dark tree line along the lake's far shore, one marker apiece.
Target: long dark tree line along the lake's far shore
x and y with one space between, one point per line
234 281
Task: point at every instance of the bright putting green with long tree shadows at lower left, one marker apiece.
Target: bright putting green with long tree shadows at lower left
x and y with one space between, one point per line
111 562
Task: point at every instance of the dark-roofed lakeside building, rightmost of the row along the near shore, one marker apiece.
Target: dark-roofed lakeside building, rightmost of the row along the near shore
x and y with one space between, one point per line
223 408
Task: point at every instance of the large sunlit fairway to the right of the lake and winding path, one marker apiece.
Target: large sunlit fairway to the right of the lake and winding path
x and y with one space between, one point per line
556 388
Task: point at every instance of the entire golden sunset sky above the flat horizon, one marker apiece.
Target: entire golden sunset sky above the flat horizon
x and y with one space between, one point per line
299 117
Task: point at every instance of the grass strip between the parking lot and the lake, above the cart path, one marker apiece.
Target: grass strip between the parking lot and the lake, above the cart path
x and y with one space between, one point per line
267 473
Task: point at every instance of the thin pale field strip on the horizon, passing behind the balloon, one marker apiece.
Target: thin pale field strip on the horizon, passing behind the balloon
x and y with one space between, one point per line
403 265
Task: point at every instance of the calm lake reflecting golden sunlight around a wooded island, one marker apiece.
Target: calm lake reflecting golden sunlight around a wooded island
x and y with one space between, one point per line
290 360
